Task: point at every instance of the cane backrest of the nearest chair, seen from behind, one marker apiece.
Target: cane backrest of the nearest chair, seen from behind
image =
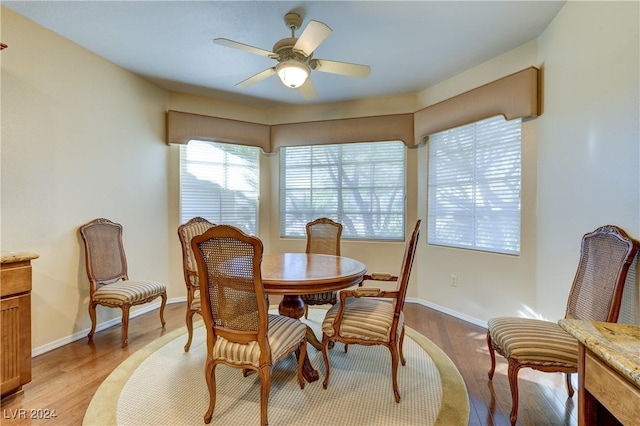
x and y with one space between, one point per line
231 285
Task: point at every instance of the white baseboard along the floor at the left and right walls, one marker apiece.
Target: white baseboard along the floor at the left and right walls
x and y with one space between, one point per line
151 306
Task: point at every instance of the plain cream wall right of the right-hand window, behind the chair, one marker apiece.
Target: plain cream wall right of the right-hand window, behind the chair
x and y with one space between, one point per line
589 136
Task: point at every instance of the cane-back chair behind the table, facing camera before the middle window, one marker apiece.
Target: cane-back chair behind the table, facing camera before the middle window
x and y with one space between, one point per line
323 237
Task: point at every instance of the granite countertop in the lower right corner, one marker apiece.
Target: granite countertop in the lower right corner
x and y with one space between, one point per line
618 345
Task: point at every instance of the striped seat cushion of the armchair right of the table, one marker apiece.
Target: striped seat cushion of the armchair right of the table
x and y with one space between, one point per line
363 318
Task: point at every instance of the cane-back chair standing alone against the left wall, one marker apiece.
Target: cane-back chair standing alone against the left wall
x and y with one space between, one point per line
109 283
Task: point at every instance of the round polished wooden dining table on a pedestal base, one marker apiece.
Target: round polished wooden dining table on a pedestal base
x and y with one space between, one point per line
293 274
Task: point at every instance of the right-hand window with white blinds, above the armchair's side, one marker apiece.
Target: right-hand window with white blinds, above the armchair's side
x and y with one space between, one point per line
474 186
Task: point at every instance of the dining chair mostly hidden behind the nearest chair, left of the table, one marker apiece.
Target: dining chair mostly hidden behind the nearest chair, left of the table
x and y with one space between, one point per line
186 232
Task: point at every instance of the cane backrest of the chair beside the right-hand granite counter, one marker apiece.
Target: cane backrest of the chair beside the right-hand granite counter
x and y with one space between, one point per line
605 257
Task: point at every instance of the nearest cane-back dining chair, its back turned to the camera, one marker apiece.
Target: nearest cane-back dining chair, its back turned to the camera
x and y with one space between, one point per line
240 331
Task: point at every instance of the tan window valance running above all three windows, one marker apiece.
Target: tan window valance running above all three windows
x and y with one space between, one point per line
513 96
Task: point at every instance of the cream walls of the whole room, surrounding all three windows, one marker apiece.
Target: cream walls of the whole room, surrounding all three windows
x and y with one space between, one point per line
82 138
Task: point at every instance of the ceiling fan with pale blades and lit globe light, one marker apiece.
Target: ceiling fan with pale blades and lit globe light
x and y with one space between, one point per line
295 57
